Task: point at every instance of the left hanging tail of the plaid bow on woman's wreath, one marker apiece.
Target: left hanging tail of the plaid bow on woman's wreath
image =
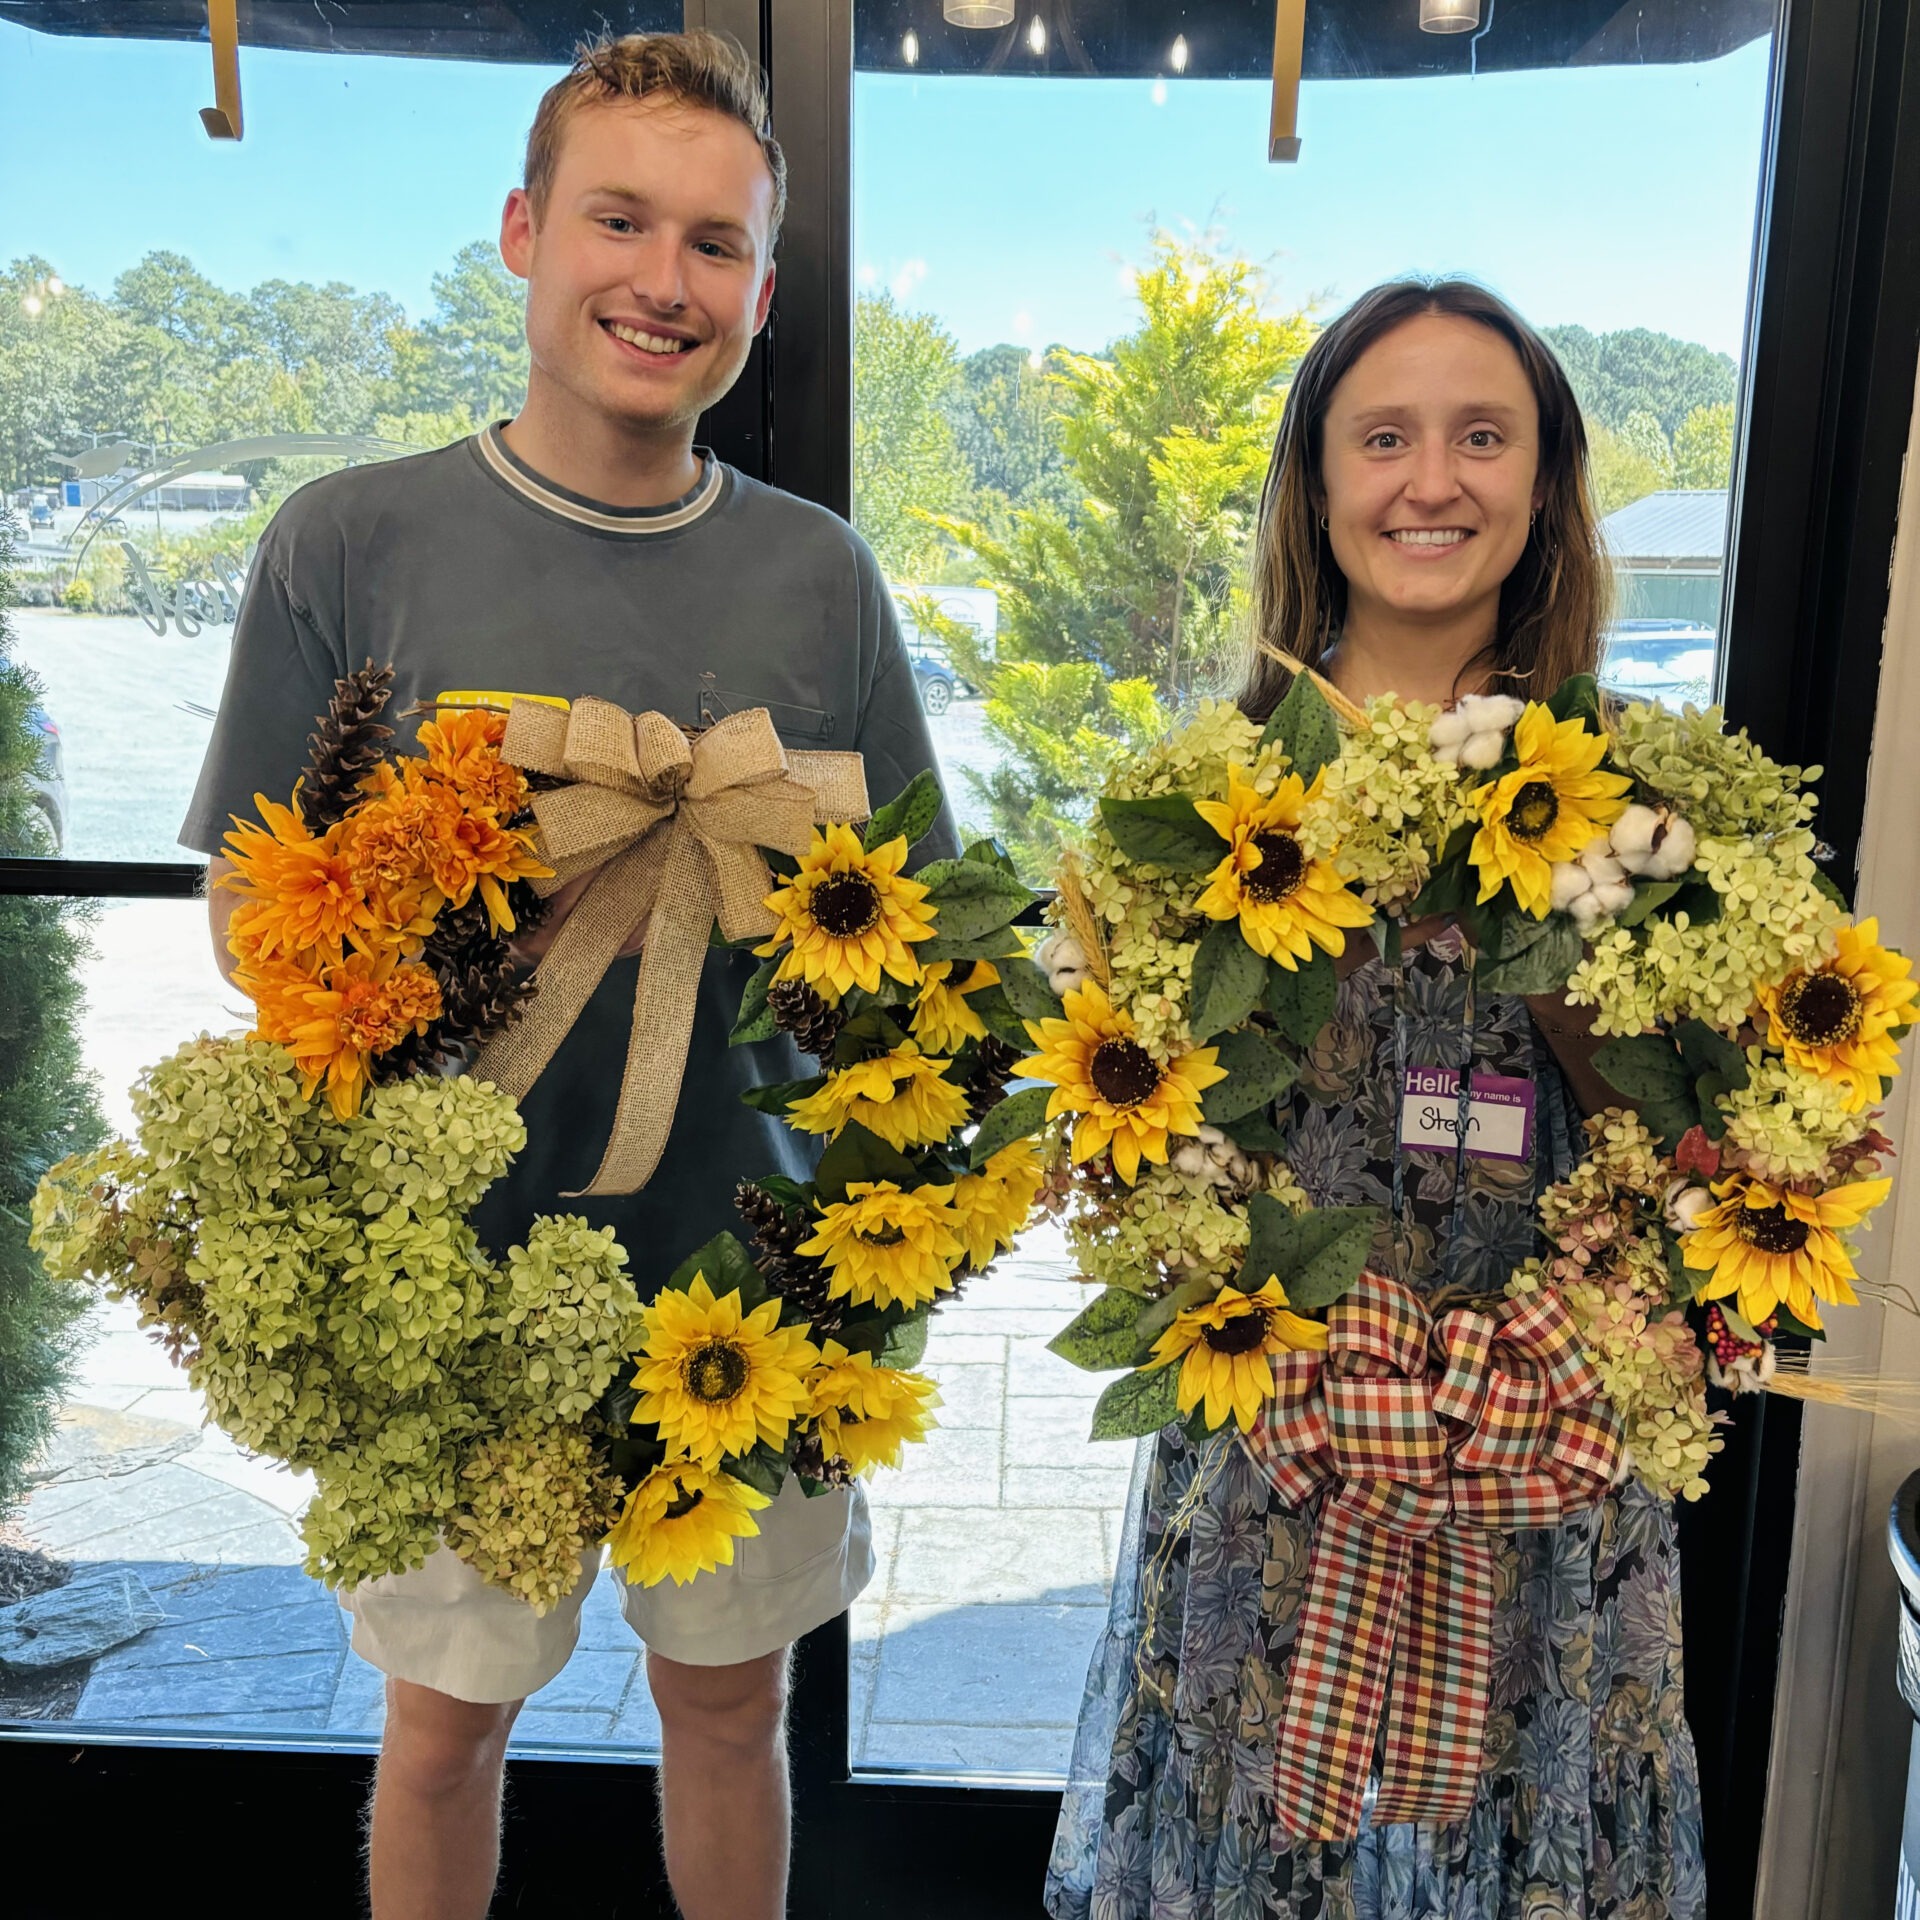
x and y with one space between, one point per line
1343 1664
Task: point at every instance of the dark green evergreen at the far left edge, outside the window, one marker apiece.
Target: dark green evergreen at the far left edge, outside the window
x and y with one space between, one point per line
47 1099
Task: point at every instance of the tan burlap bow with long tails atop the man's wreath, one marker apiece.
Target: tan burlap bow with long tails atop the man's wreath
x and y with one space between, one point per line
673 825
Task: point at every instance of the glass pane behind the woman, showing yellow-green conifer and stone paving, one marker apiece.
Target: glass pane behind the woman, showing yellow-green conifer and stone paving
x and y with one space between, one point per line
1080 279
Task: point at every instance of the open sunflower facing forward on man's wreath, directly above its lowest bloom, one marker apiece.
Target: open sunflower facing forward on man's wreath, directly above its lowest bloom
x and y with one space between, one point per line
715 1380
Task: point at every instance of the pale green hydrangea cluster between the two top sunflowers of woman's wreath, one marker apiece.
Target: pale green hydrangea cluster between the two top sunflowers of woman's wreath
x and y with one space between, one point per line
1387 807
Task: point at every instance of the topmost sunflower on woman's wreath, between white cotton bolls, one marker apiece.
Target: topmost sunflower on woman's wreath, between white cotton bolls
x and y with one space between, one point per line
1547 809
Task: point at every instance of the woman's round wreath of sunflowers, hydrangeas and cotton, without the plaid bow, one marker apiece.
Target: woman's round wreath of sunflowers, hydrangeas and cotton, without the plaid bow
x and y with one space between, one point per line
1644 863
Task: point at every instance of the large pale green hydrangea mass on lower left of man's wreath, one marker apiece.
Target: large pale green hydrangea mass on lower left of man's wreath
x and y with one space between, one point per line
331 1301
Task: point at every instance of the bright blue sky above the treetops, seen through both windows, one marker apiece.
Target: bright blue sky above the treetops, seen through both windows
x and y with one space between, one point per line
1015 208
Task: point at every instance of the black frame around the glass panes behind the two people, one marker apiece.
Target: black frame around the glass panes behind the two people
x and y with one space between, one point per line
1829 381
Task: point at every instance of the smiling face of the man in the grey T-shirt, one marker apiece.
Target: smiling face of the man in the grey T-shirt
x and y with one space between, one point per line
650 268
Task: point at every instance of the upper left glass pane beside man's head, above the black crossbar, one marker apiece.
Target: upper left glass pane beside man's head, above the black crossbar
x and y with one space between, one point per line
251 318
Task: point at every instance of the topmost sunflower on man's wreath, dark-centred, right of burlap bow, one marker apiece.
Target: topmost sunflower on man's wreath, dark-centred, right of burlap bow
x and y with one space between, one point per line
852 917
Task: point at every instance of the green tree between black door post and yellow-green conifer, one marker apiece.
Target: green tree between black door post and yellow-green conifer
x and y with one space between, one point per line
905 460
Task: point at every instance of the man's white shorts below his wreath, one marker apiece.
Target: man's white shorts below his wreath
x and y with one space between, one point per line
446 1629
